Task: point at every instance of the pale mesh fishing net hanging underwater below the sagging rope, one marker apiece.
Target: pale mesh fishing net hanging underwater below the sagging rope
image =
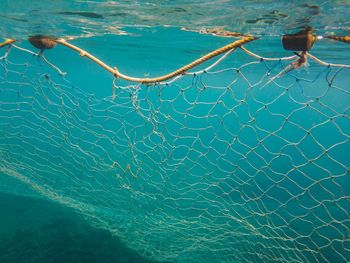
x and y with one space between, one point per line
225 163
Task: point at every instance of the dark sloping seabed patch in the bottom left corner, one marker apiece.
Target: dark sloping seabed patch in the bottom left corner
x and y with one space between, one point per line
38 231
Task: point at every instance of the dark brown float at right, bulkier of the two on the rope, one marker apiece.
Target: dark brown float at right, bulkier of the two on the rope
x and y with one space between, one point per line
301 41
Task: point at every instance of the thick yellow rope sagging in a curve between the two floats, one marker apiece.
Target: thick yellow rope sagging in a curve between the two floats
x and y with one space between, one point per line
177 72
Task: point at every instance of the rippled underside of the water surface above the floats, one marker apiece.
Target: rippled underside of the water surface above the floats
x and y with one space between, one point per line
99 17
